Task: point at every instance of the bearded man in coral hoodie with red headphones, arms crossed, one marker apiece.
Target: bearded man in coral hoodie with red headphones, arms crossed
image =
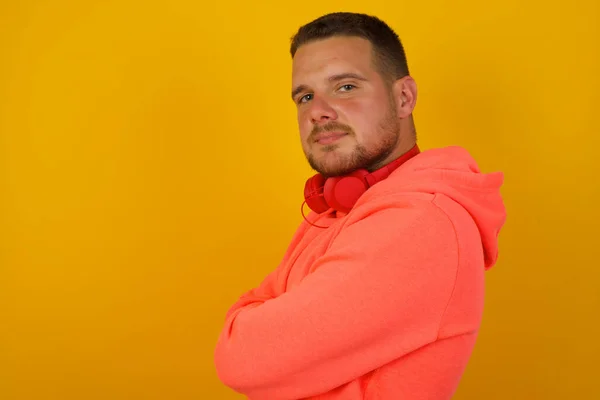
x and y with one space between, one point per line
380 293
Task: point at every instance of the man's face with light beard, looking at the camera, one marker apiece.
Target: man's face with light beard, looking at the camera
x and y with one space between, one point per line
346 112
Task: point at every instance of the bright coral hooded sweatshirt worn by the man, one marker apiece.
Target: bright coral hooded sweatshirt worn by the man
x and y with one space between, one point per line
384 302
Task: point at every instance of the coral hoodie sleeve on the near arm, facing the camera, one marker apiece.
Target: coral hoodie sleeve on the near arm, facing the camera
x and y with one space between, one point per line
378 293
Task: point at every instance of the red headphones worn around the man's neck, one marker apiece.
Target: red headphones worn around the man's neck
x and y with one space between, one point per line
342 192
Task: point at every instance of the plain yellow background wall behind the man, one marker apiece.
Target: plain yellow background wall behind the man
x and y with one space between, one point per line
151 171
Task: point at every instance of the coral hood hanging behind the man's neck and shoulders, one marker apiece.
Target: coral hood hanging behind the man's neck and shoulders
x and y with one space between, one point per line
453 172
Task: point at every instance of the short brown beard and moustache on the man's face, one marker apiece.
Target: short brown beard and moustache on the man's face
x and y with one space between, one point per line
386 136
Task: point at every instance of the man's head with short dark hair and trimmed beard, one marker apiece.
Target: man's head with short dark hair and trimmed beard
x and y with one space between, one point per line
353 91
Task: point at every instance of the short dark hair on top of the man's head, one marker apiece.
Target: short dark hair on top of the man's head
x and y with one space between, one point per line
388 53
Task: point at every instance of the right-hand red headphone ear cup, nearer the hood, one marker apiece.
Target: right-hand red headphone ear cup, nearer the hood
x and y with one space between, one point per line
341 193
